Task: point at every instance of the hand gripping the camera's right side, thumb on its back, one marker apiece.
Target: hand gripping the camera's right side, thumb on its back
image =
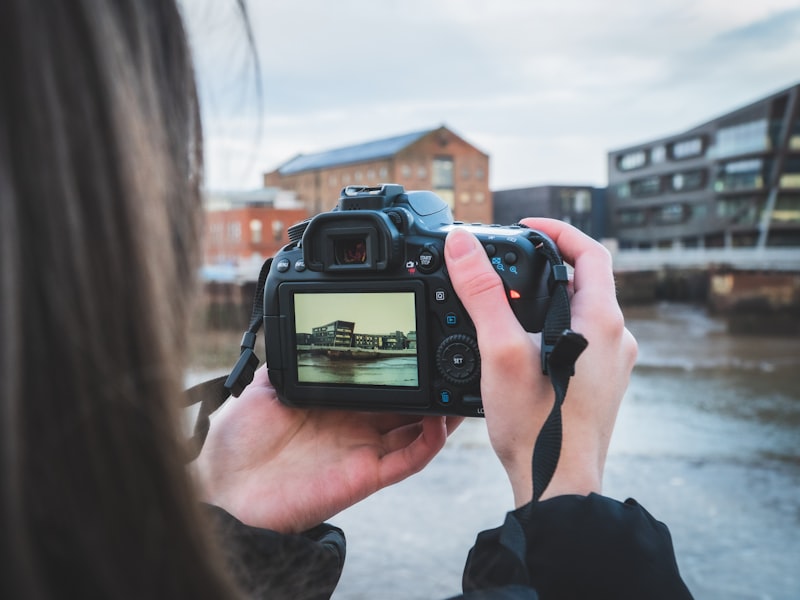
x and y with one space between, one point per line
517 397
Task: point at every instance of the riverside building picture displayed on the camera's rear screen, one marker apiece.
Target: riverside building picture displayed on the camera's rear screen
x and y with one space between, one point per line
356 338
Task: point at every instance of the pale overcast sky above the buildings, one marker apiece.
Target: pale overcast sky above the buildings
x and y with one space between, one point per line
545 88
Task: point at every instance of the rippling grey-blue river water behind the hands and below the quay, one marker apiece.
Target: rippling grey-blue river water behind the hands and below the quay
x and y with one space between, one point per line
708 440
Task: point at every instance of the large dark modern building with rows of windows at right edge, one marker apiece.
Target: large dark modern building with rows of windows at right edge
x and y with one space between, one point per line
731 182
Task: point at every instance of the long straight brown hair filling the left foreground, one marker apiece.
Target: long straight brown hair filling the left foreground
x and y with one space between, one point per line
100 152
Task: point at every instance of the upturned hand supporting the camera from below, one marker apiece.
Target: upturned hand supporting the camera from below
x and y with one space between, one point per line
289 469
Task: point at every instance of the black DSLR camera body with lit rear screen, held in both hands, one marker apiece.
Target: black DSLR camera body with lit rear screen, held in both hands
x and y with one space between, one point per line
359 312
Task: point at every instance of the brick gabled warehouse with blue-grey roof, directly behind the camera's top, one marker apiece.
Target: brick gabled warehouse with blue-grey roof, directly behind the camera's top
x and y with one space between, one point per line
434 159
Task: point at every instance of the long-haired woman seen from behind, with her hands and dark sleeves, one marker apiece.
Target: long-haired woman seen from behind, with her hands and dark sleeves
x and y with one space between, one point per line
100 169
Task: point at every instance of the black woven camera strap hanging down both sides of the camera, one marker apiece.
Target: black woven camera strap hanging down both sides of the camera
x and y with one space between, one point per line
560 349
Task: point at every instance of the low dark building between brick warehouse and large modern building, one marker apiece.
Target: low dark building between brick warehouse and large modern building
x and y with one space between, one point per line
582 206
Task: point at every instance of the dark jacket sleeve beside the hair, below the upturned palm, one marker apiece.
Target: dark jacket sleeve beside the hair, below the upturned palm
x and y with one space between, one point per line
268 564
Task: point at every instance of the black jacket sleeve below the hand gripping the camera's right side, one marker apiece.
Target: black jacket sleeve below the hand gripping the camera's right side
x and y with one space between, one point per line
577 547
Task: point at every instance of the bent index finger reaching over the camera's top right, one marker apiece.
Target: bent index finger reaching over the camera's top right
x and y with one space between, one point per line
592 260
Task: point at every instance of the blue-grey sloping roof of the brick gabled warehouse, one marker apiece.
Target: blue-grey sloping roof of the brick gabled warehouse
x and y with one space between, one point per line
367 151
